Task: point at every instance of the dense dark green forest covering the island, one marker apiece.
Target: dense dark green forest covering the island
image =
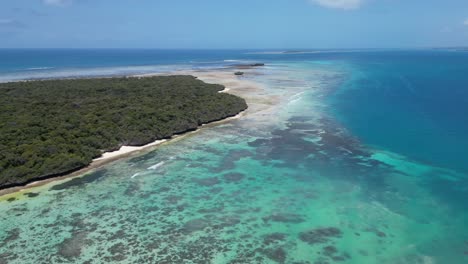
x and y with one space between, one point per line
53 127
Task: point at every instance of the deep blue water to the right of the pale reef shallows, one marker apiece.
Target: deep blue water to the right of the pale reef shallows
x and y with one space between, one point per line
413 103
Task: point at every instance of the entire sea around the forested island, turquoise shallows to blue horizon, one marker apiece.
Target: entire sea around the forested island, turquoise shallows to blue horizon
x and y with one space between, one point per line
363 158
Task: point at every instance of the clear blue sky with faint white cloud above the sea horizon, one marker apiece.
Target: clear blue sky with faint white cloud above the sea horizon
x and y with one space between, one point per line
241 24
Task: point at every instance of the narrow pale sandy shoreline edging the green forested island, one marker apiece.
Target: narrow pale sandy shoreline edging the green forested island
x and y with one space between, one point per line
130 151
